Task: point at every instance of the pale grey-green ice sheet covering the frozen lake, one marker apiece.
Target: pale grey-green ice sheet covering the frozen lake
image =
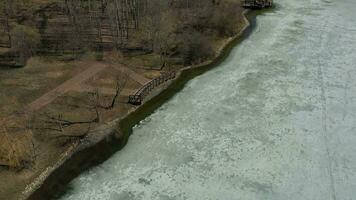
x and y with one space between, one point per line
276 121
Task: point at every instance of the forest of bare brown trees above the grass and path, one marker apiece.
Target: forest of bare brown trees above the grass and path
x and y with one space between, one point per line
177 29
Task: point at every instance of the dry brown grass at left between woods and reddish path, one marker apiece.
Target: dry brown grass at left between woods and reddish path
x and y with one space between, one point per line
21 86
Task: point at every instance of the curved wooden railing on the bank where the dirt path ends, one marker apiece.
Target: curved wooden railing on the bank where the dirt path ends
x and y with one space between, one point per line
139 96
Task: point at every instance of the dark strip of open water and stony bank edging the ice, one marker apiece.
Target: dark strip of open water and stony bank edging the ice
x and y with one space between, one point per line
113 136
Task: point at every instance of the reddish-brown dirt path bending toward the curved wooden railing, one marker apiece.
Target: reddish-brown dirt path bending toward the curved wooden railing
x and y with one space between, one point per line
75 83
